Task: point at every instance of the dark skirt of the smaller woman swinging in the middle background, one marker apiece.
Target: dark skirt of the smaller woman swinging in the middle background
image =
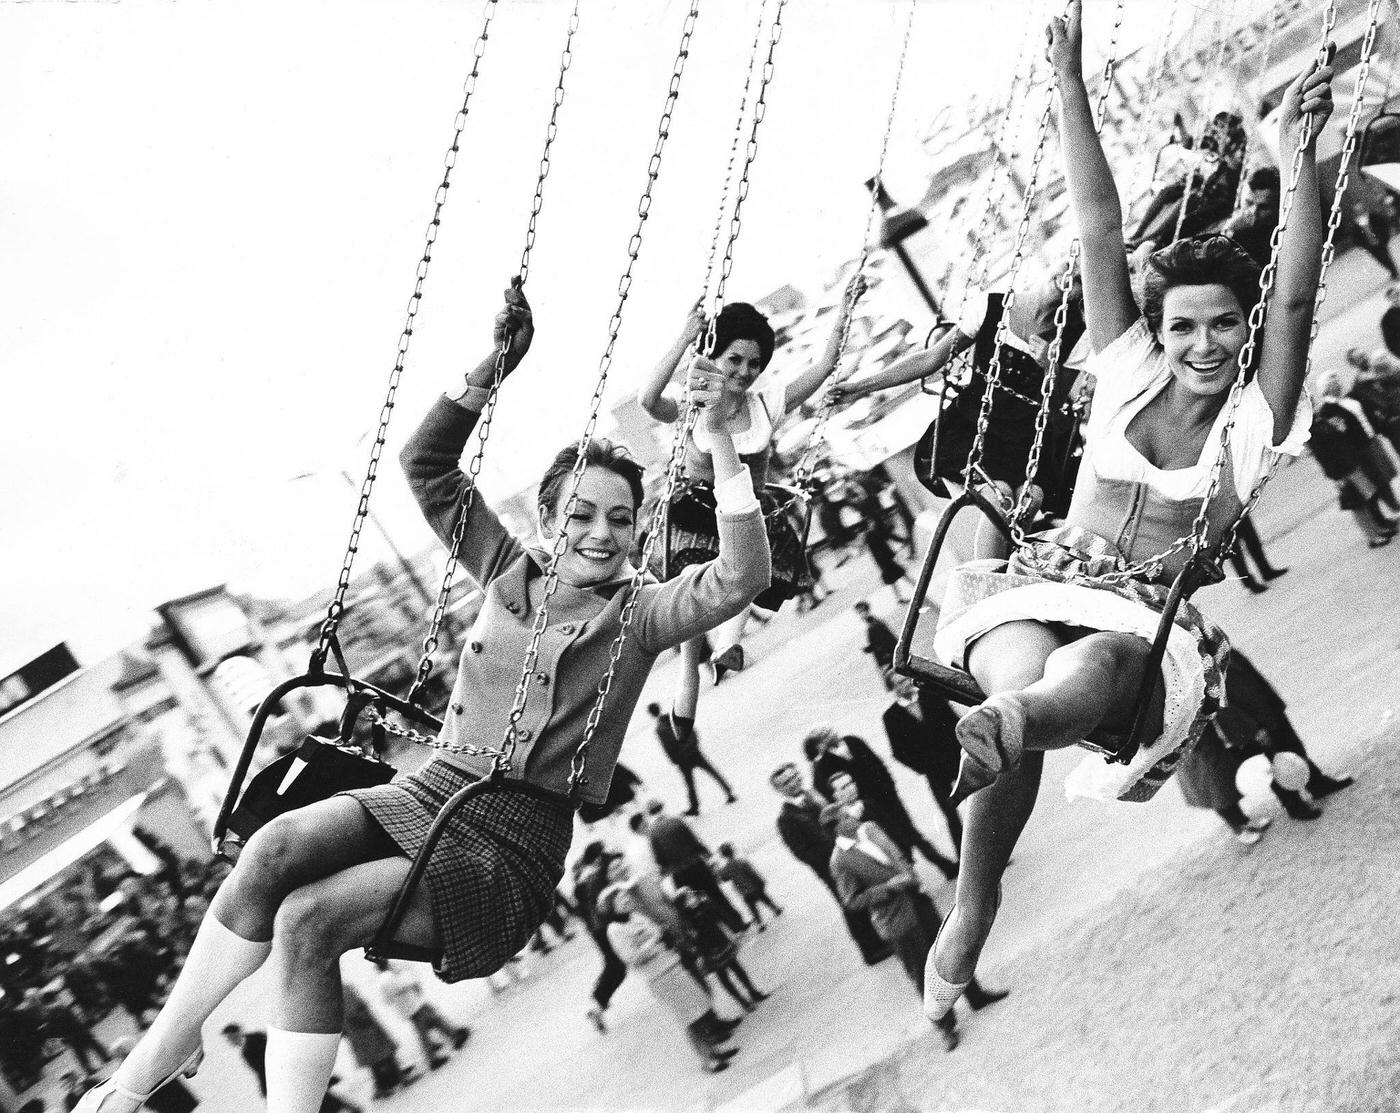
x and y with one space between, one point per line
694 538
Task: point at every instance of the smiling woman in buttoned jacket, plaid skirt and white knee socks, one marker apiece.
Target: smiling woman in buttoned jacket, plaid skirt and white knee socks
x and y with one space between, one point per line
317 883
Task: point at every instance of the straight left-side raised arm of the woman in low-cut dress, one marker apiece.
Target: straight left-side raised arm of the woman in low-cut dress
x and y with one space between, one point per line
1109 309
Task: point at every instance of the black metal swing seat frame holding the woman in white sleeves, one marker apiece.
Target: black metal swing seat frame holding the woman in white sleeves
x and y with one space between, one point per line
960 687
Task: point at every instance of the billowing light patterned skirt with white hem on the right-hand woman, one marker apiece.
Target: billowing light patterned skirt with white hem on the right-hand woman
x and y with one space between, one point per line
1046 583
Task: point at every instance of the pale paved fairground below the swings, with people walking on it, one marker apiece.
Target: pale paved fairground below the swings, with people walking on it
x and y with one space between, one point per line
1326 633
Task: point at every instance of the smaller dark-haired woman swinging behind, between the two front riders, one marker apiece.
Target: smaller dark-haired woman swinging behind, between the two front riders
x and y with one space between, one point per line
743 348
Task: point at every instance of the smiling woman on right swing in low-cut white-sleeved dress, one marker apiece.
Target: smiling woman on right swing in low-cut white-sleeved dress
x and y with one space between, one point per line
1058 652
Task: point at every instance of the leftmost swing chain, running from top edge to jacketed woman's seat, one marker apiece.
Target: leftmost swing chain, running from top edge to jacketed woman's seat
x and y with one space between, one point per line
332 622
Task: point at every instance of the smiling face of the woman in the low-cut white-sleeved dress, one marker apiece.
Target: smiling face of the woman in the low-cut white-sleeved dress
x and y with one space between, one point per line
1203 331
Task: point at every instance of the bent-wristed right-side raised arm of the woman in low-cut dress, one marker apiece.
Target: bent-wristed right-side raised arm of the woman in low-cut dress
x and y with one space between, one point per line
1283 359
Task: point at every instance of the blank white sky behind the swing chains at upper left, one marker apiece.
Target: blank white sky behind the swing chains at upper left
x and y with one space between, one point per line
212 216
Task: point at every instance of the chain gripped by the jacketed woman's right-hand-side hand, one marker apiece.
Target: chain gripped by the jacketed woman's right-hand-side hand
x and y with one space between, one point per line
675 465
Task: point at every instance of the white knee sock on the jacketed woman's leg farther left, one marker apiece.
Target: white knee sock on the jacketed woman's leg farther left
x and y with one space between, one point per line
216 964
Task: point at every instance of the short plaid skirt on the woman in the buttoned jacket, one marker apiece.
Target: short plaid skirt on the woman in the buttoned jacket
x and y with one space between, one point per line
492 877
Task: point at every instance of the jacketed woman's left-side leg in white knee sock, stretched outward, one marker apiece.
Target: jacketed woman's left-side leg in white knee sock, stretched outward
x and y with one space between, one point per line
236 937
